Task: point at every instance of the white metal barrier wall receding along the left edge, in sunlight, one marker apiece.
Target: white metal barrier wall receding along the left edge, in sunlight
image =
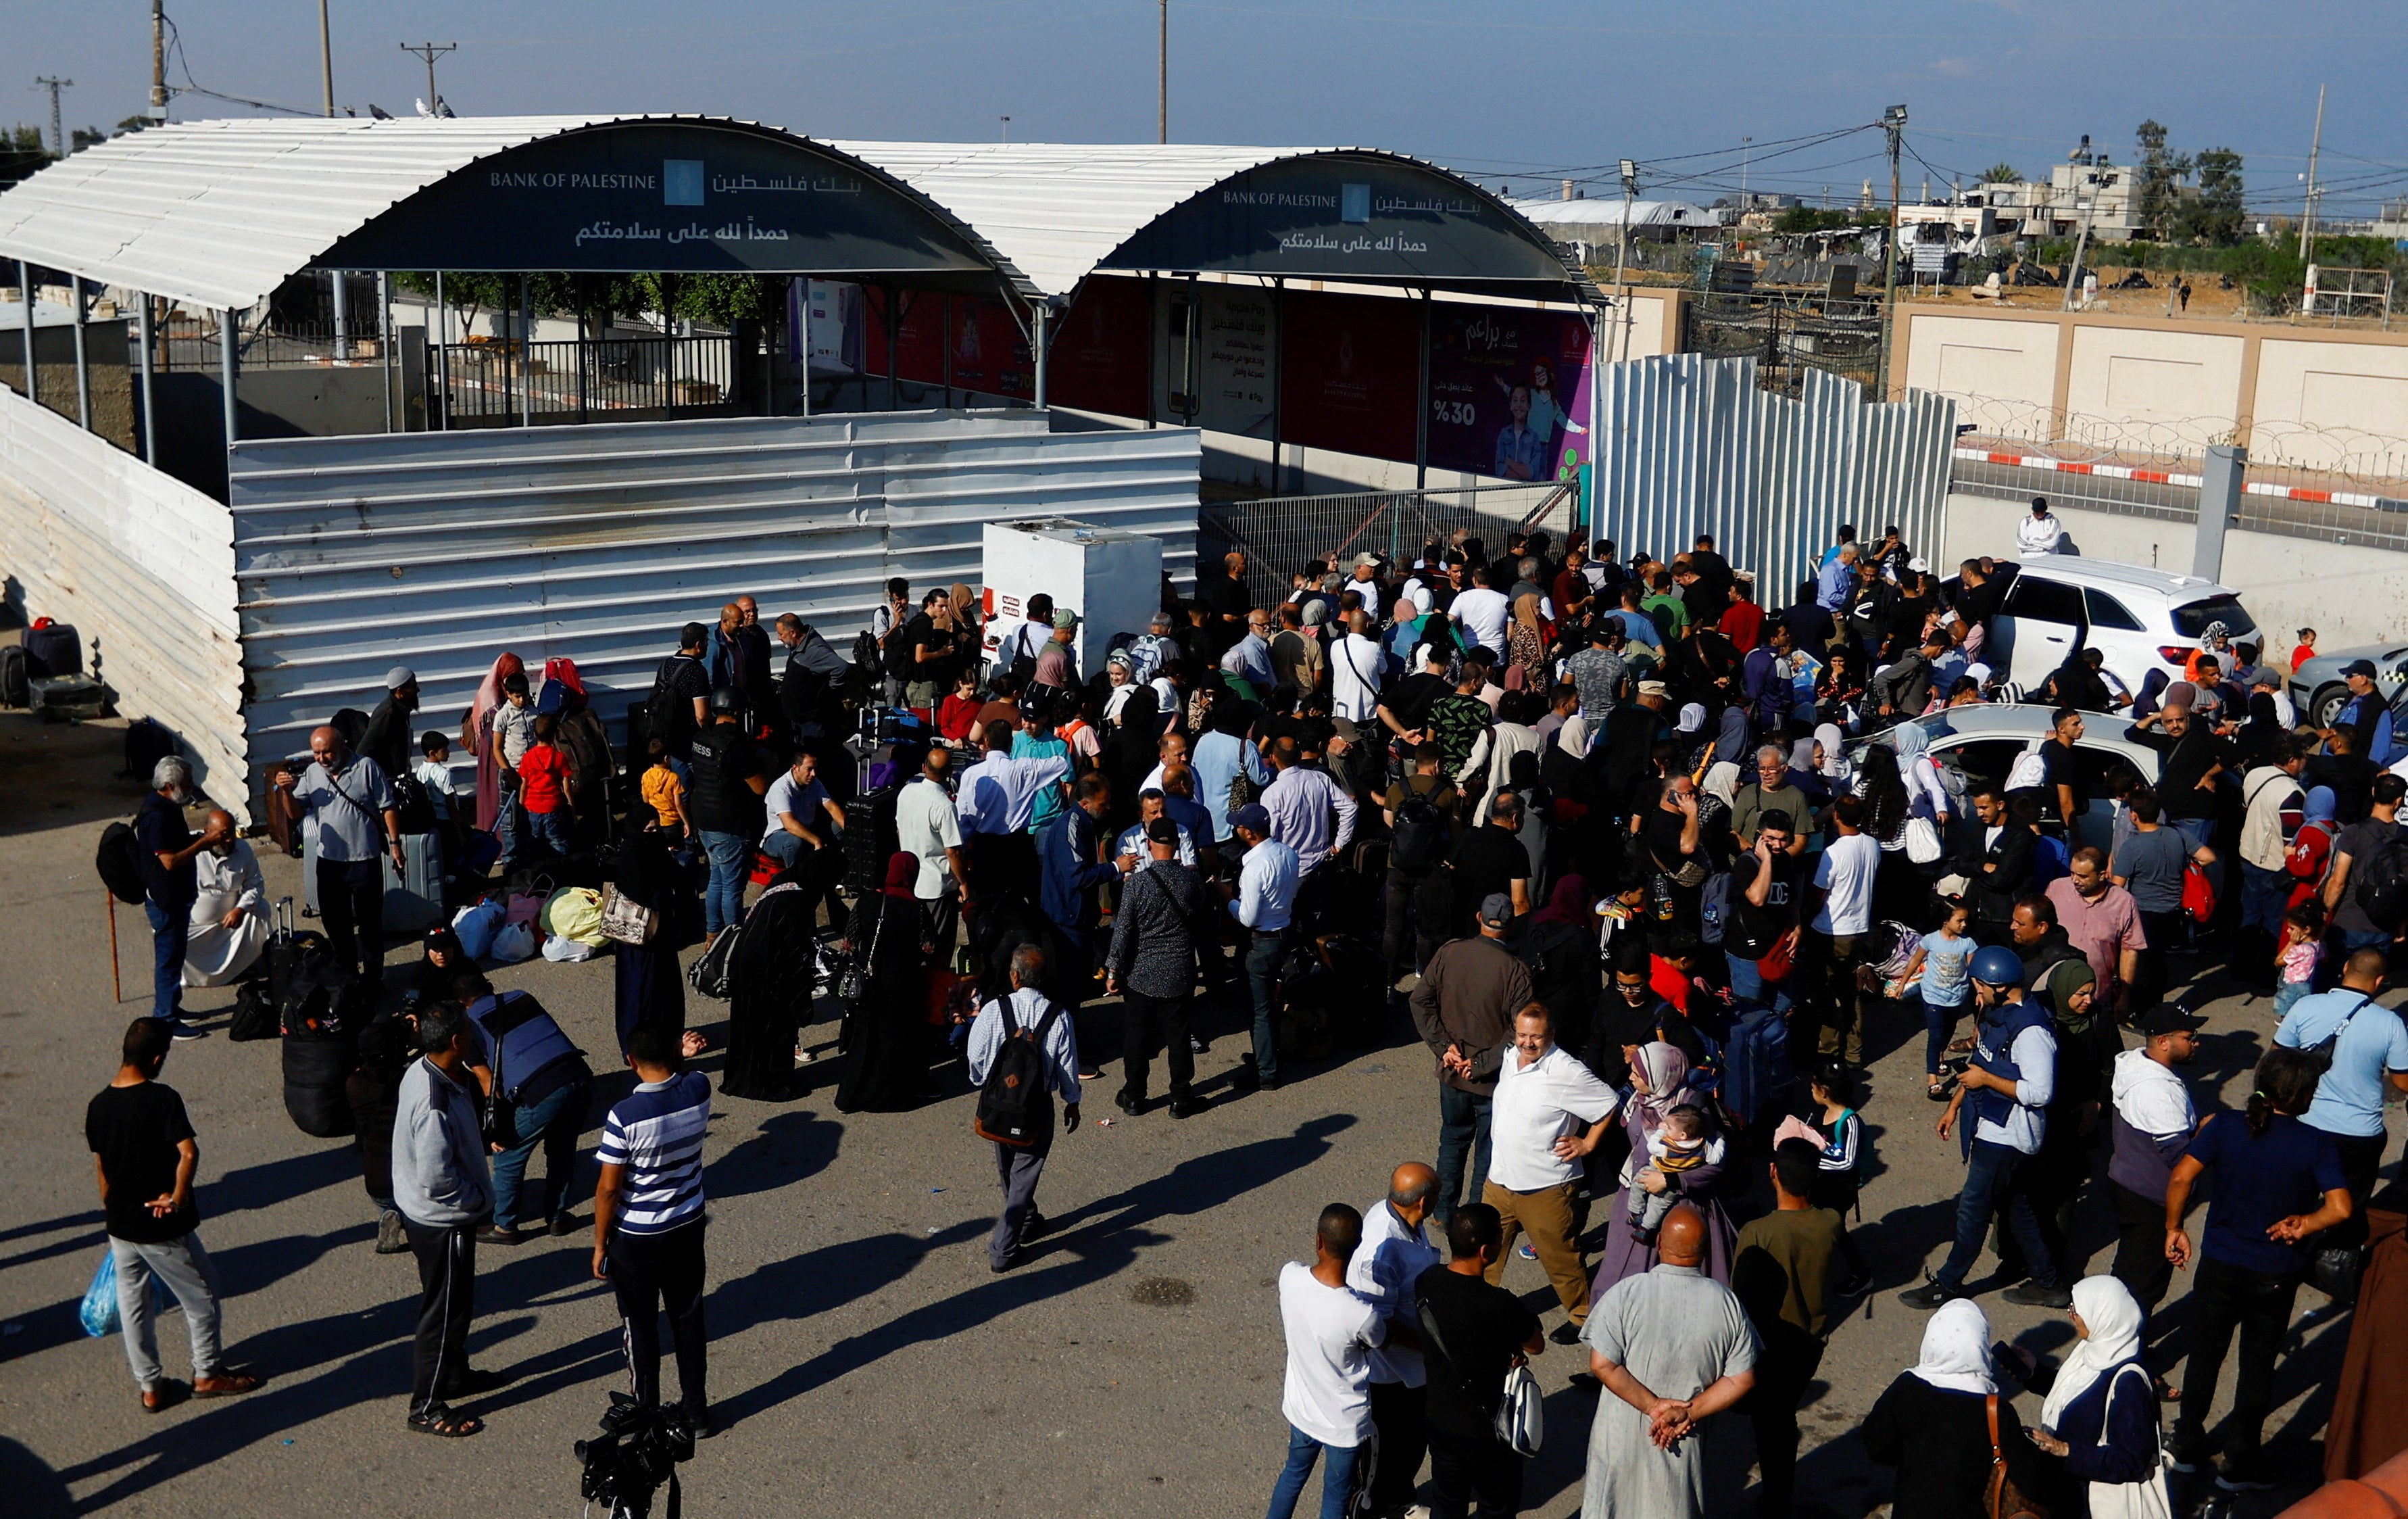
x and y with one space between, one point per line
143 567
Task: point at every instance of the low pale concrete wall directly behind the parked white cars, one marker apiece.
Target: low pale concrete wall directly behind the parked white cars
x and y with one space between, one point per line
2349 596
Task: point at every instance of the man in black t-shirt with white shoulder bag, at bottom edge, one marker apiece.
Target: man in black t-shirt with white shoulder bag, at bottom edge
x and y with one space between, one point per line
1470 1337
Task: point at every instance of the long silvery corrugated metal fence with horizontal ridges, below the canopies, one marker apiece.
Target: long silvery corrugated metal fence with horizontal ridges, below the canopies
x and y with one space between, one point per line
596 543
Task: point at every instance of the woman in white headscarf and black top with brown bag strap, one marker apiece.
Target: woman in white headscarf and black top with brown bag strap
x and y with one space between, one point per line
1932 1424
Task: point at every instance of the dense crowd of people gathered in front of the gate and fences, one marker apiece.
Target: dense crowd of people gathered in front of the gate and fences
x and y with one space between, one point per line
1660 863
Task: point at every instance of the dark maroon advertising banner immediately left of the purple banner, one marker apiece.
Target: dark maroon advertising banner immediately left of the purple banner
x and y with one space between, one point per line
1350 370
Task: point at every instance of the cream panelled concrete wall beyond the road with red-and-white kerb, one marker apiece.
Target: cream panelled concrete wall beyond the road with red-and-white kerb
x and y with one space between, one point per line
2315 398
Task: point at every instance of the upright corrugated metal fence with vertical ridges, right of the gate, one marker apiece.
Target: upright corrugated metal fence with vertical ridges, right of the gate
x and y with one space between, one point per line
1696 447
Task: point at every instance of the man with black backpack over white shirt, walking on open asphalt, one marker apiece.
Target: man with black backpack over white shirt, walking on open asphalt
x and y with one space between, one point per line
1020 1058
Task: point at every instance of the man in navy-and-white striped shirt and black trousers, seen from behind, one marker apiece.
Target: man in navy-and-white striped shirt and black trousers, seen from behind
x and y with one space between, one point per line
649 1214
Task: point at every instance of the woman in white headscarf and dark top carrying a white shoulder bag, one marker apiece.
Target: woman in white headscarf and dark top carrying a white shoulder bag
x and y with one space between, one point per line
2101 1419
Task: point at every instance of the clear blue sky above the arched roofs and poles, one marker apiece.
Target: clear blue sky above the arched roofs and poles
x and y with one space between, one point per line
1497 90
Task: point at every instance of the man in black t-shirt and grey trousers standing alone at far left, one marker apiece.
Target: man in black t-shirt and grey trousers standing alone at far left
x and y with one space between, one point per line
148 1157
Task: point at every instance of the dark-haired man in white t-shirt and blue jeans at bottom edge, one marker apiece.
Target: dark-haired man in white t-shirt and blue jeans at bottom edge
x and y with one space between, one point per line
1330 1337
